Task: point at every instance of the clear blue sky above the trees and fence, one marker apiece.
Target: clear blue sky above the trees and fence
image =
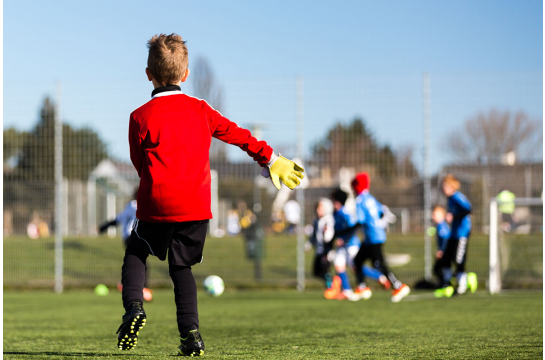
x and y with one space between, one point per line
357 58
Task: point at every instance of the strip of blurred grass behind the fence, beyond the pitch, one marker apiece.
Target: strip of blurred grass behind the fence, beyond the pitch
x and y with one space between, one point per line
90 261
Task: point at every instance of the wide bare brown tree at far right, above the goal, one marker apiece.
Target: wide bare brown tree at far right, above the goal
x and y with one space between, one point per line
485 138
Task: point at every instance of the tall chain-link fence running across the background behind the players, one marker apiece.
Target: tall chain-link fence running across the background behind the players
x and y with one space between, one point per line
342 126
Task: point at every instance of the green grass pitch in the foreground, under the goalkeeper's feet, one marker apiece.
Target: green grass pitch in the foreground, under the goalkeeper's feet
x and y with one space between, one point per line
281 324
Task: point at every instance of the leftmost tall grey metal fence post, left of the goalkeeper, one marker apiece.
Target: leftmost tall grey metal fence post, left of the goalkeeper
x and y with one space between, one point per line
58 192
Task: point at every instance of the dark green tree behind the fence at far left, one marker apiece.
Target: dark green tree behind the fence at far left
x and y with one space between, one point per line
29 175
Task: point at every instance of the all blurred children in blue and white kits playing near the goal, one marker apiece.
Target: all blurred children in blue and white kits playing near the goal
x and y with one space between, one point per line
336 241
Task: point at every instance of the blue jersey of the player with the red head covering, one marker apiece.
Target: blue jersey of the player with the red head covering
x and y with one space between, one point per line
369 213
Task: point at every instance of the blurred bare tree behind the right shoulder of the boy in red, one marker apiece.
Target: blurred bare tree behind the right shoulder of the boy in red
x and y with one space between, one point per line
205 87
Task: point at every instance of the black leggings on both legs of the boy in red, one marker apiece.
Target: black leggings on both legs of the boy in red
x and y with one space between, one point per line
133 277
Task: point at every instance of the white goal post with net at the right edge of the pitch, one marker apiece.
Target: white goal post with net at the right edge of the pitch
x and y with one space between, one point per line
498 254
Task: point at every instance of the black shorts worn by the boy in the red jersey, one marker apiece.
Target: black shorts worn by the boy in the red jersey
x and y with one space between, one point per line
184 241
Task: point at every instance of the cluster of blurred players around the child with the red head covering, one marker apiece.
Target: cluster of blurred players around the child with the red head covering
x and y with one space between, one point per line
335 239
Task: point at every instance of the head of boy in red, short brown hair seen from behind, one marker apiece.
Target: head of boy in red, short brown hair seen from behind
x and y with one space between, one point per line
167 58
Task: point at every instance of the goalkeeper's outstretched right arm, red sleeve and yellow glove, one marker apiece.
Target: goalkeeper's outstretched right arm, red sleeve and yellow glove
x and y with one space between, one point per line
277 167
